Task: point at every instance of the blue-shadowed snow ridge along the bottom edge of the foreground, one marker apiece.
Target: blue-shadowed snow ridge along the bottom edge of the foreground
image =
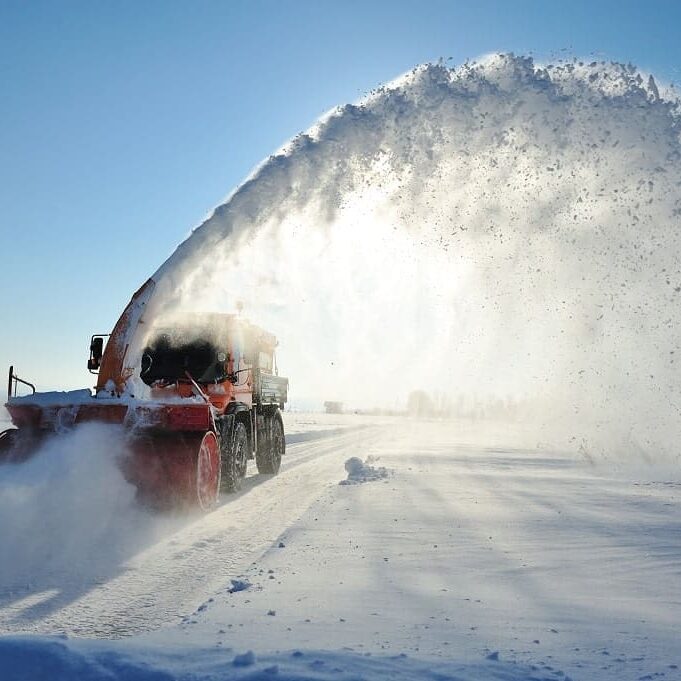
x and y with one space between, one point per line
53 659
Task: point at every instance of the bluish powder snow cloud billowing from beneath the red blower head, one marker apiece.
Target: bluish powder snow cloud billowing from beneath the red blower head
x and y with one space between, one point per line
68 511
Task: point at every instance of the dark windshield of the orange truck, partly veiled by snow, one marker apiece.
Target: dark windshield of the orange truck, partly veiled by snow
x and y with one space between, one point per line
168 358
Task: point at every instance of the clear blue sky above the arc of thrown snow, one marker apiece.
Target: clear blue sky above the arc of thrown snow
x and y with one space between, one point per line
123 123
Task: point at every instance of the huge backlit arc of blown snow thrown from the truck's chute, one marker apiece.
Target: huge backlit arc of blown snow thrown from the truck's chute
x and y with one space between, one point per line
499 230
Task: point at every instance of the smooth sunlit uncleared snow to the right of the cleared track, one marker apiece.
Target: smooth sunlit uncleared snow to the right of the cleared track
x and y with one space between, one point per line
468 551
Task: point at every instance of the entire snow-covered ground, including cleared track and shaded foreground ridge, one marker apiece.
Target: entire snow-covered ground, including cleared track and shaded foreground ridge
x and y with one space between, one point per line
477 557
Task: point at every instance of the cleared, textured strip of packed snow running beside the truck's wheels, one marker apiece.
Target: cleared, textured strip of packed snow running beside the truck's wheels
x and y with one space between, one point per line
172 577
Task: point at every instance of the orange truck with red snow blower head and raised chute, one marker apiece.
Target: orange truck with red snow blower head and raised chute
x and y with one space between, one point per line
200 399
